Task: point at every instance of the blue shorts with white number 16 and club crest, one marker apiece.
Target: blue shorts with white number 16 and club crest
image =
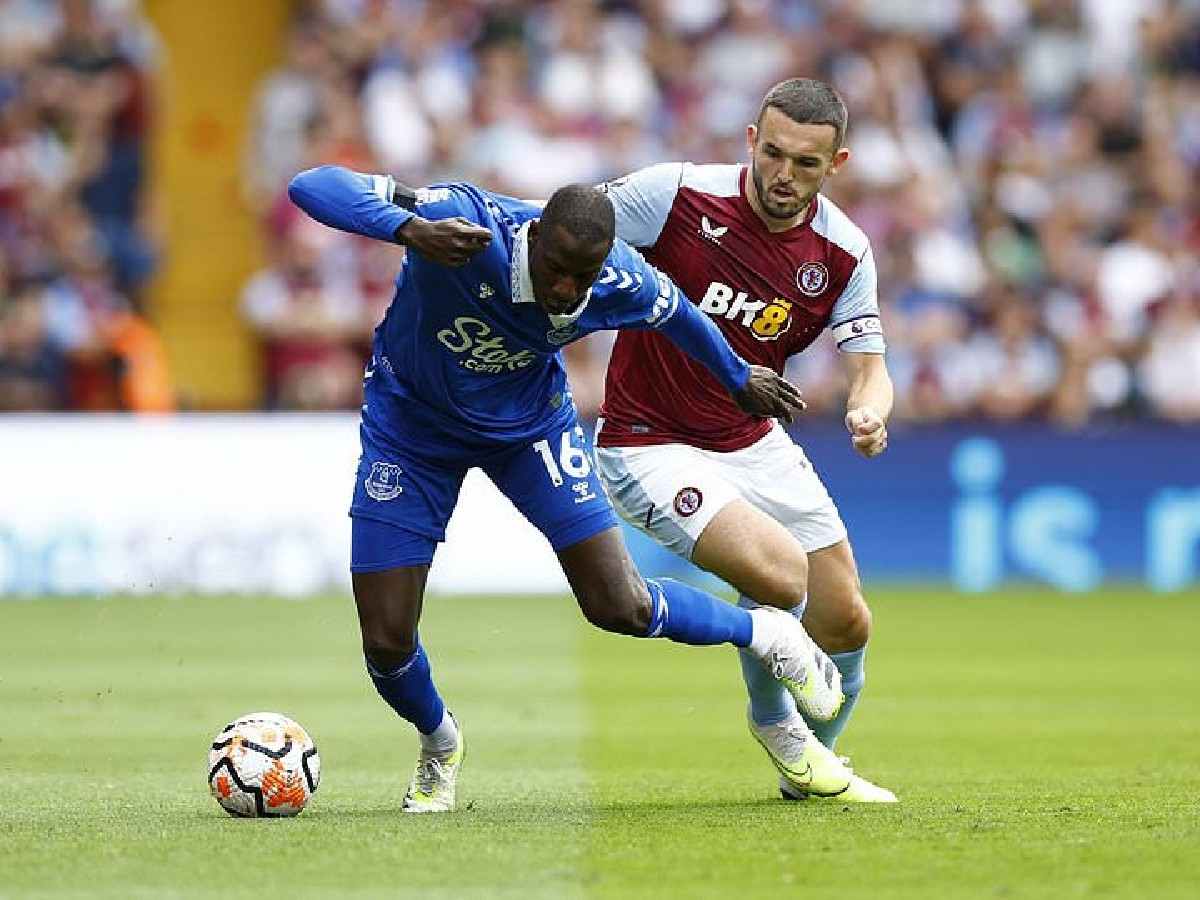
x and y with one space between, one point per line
404 495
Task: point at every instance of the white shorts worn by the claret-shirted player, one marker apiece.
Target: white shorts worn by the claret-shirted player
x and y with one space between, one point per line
674 491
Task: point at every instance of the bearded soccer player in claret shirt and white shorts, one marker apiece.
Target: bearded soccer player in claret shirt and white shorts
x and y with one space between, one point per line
773 263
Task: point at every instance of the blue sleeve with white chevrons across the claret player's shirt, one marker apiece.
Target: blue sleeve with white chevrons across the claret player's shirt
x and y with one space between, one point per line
645 298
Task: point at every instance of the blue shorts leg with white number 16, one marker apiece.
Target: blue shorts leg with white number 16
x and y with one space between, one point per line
553 482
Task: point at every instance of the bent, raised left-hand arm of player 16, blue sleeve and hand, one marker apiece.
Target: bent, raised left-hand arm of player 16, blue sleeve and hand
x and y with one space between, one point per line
374 206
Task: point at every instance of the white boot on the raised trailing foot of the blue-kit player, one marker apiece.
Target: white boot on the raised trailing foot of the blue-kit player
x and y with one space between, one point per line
785 649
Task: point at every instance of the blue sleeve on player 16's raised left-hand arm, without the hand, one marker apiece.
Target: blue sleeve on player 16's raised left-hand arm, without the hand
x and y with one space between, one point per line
350 201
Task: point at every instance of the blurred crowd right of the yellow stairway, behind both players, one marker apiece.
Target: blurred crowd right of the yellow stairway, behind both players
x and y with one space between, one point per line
1028 170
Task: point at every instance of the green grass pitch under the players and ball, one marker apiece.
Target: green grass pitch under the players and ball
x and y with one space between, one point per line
1043 747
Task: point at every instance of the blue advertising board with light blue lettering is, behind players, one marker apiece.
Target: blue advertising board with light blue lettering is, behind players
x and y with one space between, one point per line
980 506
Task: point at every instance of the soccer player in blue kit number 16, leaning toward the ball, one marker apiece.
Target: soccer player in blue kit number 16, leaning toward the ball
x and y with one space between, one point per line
466 373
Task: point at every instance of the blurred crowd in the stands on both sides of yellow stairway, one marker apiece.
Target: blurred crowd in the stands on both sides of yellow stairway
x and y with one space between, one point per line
1029 172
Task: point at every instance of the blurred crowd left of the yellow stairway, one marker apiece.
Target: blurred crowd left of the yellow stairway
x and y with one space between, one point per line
76 245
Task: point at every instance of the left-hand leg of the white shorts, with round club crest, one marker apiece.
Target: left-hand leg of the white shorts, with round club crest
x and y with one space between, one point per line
670 491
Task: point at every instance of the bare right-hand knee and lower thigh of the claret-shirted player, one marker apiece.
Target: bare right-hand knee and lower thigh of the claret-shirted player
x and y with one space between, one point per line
837 617
